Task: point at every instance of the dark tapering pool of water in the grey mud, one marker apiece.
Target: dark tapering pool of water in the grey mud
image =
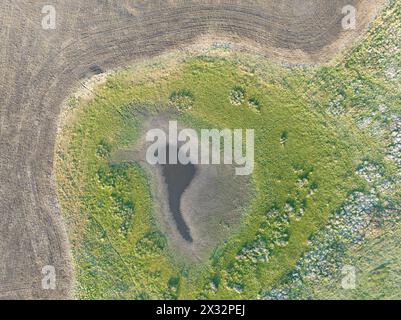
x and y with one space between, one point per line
178 177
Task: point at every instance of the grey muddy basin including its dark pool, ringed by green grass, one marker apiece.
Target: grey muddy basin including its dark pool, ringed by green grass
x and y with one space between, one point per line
196 206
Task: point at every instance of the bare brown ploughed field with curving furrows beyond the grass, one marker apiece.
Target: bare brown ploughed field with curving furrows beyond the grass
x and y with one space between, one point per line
40 68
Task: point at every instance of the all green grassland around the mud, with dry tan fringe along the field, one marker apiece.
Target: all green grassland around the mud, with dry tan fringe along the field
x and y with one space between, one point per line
309 146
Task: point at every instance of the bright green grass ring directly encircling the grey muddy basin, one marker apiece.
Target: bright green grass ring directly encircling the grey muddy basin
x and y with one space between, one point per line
302 172
